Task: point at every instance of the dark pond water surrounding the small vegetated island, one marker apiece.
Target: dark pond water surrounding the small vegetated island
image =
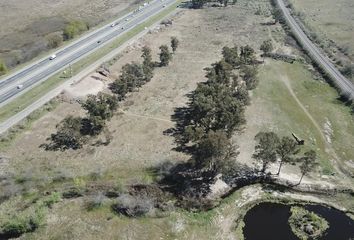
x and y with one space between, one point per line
269 221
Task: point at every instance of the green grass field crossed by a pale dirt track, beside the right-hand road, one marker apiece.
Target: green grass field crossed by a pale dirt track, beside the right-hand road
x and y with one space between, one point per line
309 108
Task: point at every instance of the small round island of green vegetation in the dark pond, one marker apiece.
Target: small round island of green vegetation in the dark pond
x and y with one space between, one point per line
307 225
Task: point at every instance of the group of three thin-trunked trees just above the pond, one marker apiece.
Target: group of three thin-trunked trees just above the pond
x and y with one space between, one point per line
271 148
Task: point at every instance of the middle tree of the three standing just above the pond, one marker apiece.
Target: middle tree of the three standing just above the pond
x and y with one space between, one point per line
287 149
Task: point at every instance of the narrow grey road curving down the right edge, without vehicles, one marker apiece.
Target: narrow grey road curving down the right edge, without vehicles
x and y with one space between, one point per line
346 87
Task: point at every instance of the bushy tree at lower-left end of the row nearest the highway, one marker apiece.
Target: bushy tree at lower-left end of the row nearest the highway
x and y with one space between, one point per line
68 135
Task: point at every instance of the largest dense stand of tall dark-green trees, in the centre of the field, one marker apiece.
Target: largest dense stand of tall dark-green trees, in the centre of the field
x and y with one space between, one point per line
216 109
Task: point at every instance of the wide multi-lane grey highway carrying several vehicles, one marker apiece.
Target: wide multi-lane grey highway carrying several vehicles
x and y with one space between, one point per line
44 68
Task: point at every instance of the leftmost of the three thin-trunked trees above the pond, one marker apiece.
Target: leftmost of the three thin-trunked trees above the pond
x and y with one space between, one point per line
265 150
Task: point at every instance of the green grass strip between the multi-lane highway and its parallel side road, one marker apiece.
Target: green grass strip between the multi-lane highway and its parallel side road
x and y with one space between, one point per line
23 101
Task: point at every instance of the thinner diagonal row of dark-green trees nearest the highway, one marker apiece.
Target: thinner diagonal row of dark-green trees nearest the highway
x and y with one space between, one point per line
73 132
